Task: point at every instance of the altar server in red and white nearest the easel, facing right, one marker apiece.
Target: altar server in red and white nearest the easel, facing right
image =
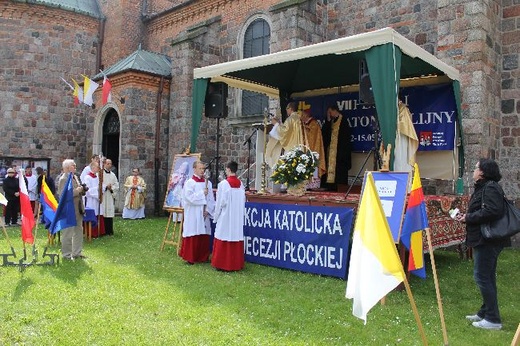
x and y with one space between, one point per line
198 203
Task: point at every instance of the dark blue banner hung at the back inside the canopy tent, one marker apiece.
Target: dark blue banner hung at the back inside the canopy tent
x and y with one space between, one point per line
433 108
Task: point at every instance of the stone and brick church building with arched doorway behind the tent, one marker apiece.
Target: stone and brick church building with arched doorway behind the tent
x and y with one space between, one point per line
149 48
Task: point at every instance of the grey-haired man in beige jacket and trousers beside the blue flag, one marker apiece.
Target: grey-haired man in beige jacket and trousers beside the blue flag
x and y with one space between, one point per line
72 237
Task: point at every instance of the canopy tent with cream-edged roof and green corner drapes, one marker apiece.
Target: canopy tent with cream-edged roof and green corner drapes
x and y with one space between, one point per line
390 57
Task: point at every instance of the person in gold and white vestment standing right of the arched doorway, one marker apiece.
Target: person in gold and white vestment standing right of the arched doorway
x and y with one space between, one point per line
135 195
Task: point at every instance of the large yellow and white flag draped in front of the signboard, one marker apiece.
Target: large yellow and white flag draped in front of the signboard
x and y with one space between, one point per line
375 268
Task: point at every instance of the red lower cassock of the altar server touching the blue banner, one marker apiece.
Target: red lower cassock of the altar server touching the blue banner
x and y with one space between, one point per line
228 255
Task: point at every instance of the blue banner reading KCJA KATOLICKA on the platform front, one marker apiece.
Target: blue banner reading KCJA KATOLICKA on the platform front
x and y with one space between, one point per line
304 238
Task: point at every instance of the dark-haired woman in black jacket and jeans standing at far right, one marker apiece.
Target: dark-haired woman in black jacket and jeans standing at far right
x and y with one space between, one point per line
486 204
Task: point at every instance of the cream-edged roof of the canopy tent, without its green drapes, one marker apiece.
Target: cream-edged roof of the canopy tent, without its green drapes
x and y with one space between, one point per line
323 65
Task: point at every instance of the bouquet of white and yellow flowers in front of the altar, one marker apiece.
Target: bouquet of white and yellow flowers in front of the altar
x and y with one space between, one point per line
295 166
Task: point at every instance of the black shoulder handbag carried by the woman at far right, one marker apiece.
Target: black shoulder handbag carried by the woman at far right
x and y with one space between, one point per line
507 226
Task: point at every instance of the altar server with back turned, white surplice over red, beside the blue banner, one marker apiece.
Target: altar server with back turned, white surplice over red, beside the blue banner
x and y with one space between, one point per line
228 245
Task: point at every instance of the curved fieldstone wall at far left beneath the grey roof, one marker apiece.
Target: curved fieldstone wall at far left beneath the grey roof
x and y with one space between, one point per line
40 45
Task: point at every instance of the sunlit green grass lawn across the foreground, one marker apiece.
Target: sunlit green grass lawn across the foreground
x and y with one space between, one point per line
129 293
